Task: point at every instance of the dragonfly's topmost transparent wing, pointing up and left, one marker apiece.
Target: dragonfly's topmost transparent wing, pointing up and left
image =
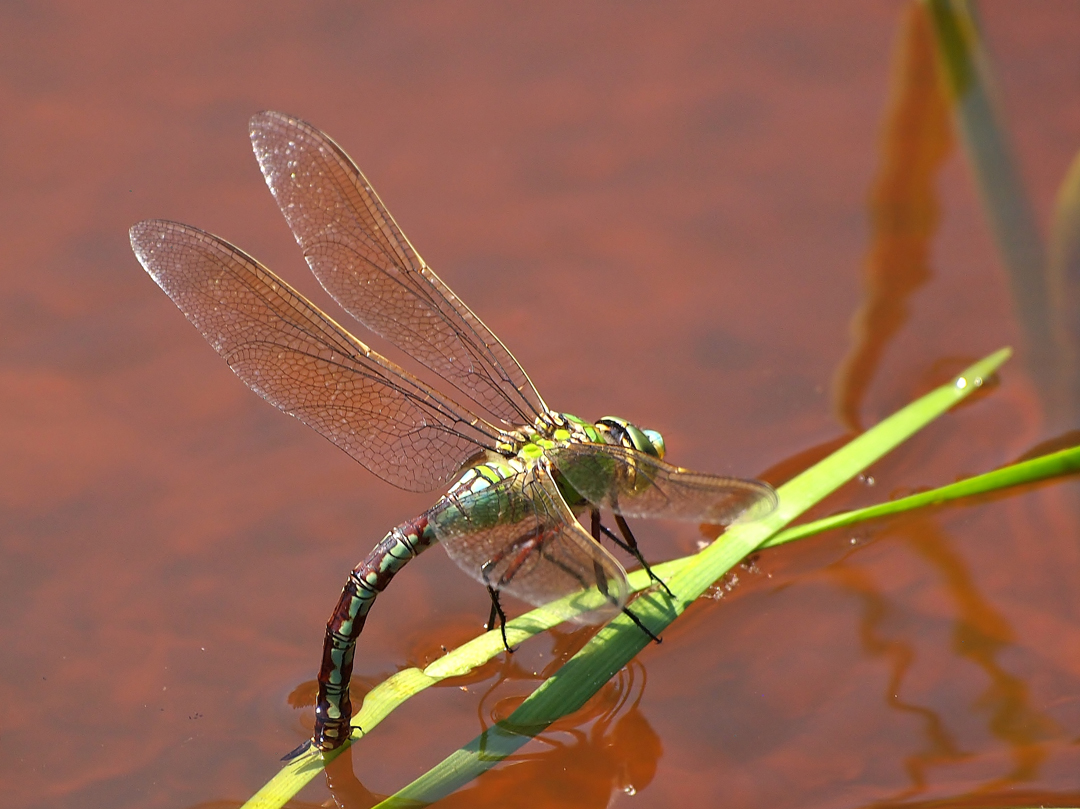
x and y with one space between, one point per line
362 259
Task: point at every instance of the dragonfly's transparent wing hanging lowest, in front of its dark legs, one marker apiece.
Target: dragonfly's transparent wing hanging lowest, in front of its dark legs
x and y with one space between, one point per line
520 537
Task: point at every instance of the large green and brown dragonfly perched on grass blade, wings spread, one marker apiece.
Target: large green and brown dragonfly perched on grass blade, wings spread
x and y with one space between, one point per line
519 477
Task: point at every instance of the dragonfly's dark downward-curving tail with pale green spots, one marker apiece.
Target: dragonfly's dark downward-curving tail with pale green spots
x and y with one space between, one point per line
370 578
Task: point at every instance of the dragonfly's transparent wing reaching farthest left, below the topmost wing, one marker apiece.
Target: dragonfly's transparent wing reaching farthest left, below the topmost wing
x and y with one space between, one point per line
296 358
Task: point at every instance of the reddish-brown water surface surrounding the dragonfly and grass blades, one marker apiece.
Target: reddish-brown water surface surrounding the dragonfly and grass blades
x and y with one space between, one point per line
670 213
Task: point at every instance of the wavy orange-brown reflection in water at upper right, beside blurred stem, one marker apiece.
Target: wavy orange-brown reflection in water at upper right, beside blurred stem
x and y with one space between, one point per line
916 142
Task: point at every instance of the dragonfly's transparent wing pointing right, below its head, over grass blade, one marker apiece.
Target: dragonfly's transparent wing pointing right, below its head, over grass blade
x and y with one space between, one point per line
638 486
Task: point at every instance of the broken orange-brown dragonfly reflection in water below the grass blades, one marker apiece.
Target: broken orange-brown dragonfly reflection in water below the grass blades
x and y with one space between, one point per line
618 753
